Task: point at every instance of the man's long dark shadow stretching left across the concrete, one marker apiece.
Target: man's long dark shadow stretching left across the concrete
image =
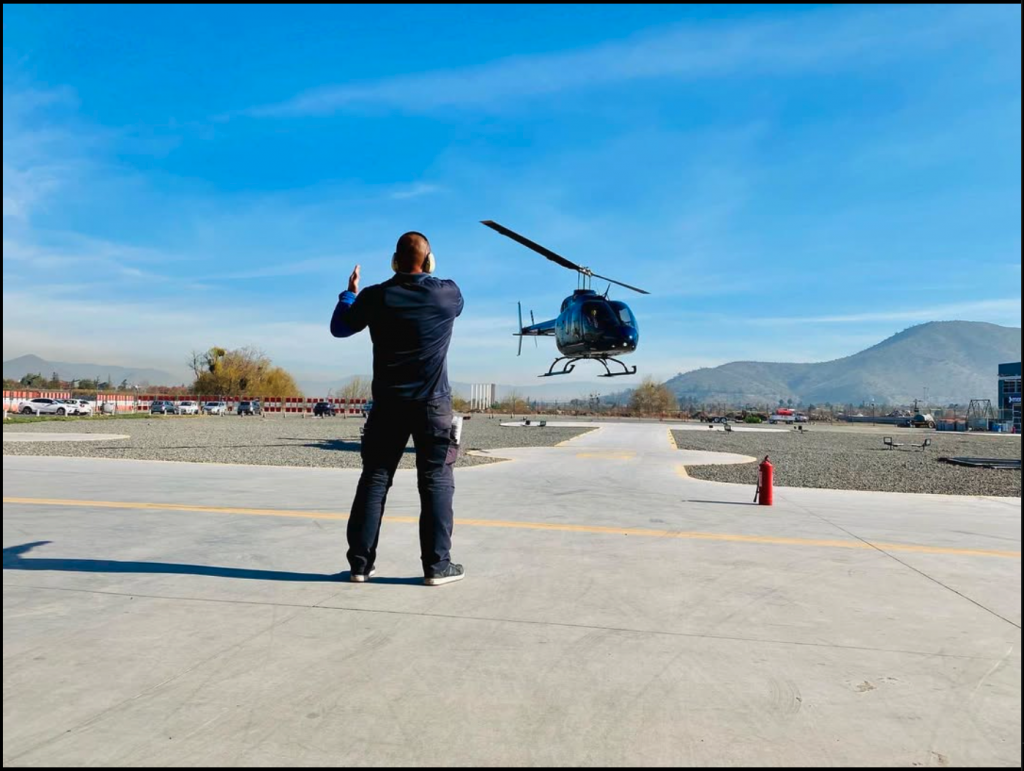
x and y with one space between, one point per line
14 561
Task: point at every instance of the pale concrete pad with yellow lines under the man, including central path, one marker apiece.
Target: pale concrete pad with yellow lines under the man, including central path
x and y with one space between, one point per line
617 613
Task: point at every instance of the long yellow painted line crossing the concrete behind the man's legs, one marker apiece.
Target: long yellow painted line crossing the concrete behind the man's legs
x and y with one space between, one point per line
542 527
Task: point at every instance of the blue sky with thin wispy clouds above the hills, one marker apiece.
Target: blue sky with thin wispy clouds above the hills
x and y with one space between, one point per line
791 183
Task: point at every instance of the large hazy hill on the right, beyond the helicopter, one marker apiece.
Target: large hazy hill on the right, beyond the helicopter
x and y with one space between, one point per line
954 362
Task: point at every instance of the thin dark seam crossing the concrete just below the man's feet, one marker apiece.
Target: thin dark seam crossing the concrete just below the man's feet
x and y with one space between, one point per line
516 622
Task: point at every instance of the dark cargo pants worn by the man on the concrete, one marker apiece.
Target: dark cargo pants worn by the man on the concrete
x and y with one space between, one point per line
388 432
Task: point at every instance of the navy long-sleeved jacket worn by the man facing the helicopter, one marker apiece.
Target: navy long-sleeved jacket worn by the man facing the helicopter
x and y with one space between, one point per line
411 319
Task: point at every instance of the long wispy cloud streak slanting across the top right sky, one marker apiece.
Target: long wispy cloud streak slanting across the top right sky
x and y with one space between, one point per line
816 41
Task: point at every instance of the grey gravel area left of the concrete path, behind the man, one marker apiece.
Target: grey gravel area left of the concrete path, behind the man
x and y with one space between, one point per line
272 442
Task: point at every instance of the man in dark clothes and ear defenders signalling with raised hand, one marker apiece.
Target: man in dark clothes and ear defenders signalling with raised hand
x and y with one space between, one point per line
411 318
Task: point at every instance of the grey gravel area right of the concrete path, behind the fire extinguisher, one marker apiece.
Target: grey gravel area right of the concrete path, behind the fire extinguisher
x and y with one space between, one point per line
857 460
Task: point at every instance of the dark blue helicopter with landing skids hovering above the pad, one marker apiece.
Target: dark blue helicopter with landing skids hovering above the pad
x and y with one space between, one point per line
590 327
